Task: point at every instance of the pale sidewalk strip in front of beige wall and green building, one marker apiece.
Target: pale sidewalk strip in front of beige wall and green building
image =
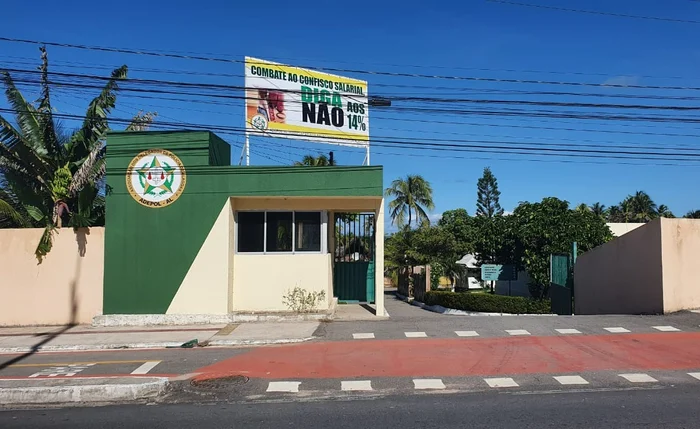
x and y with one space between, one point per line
85 337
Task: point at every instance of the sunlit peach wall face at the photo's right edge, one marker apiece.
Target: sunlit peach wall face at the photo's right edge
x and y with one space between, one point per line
681 252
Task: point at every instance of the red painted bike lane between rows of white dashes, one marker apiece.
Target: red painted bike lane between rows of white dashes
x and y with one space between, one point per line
466 357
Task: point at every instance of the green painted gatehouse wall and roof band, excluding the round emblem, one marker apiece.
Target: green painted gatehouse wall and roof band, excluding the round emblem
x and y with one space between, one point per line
148 251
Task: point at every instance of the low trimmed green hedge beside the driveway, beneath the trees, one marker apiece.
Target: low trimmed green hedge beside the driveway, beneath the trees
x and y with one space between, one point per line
484 302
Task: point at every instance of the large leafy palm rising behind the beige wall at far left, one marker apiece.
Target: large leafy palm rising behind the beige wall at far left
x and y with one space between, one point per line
47 177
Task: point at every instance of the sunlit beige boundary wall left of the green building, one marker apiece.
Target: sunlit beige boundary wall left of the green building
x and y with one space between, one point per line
44 294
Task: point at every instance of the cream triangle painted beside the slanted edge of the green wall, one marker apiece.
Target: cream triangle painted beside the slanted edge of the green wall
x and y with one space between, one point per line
205 288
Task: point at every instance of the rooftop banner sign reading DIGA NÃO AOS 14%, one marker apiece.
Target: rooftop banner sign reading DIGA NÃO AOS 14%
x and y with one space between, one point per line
302 104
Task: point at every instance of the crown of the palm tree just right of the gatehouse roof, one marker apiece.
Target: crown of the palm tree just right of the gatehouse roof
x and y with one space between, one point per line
412 195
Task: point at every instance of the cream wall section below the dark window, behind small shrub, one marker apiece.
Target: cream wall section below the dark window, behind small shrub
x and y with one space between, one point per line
260 281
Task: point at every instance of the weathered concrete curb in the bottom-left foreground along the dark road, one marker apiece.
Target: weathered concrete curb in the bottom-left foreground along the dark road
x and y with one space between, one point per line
83 393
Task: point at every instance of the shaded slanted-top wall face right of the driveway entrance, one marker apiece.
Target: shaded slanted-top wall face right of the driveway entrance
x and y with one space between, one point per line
622 276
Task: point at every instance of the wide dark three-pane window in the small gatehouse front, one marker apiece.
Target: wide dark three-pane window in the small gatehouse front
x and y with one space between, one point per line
278 232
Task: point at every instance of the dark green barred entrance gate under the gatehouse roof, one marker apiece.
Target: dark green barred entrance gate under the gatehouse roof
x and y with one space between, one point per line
353 264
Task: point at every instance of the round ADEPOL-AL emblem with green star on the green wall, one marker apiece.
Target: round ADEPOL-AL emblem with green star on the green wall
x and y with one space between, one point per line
155 178
